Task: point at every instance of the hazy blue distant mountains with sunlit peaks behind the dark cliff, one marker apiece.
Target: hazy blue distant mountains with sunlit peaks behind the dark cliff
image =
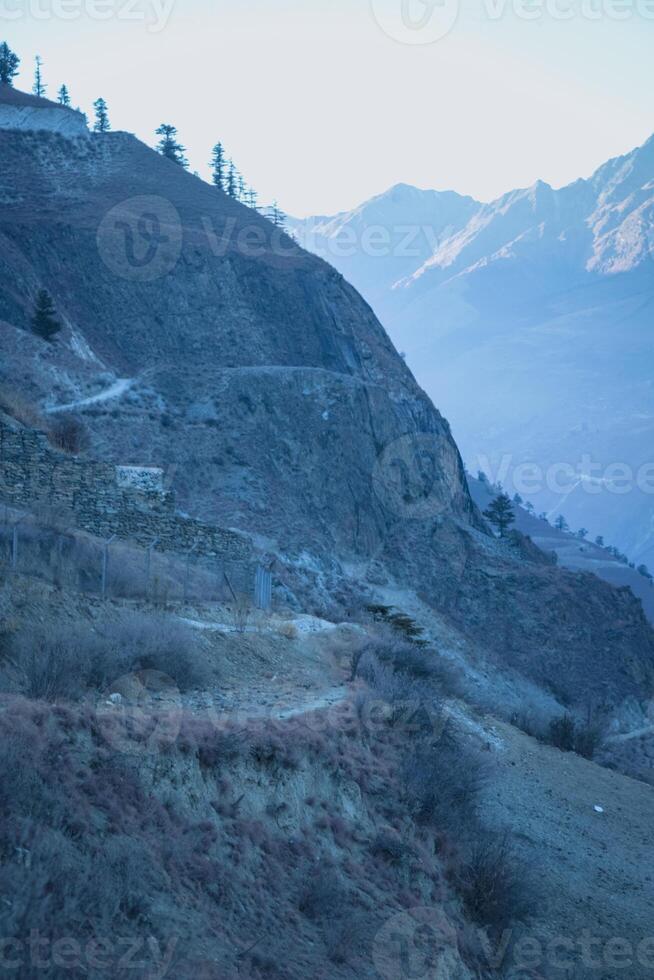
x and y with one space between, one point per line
530 322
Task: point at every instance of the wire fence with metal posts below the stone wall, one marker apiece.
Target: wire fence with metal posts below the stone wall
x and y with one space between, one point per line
50 550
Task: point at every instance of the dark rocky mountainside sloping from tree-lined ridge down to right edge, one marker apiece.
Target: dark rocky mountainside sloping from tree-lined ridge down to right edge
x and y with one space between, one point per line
199 338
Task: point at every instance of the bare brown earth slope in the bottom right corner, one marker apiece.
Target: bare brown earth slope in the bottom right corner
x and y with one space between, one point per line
593 871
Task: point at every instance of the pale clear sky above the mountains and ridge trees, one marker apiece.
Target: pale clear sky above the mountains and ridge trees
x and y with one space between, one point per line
324 103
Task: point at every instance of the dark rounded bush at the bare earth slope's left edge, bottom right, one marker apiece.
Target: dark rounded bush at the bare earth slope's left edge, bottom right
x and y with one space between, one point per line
492 884
